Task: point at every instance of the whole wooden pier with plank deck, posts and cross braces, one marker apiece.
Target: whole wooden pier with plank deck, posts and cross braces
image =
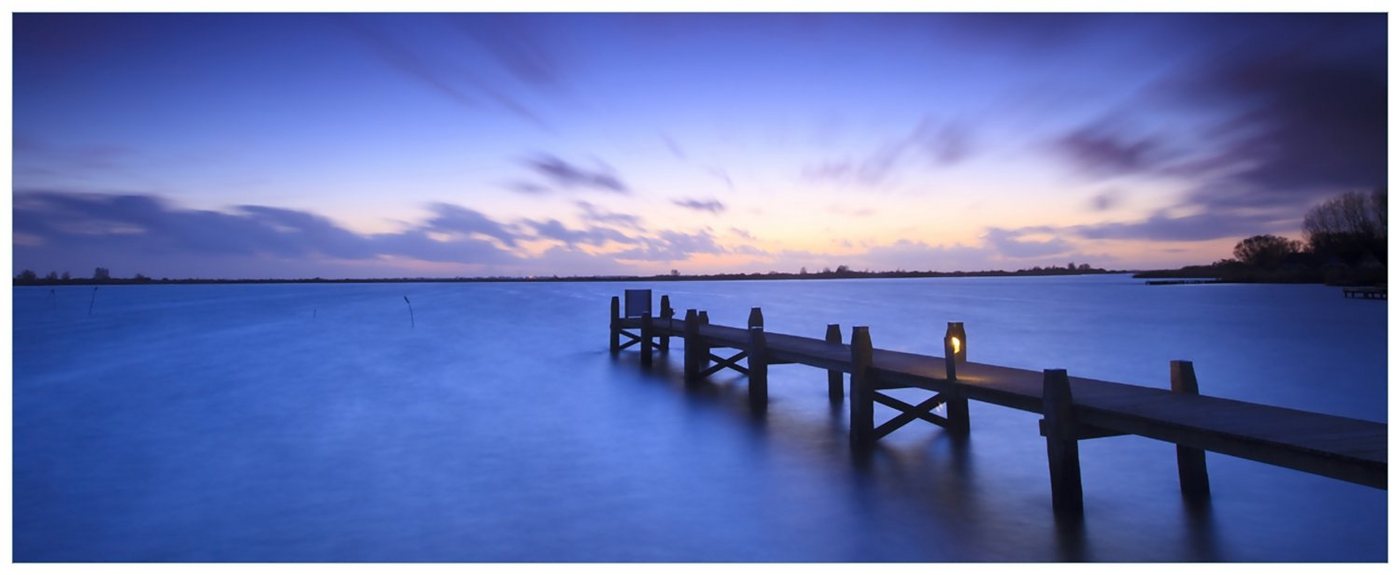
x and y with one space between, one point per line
1073 409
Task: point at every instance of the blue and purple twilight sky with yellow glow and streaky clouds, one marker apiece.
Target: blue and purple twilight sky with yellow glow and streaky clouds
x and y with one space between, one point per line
575 145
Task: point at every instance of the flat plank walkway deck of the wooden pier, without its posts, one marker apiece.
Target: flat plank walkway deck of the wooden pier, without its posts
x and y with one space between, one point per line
1329 446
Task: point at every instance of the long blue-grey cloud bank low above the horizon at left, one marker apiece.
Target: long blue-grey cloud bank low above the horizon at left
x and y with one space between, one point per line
96 229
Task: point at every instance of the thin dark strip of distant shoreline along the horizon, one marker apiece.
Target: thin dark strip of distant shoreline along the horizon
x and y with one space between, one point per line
575 279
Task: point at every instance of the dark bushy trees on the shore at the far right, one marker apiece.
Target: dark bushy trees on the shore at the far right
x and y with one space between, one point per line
1345 246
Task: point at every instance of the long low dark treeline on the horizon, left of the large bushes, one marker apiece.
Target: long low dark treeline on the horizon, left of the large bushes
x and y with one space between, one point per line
841 274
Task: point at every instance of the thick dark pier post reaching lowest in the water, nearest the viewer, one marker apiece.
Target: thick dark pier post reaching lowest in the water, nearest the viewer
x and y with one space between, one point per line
1062 447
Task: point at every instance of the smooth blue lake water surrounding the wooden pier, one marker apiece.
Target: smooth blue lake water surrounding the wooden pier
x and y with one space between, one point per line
313 423
